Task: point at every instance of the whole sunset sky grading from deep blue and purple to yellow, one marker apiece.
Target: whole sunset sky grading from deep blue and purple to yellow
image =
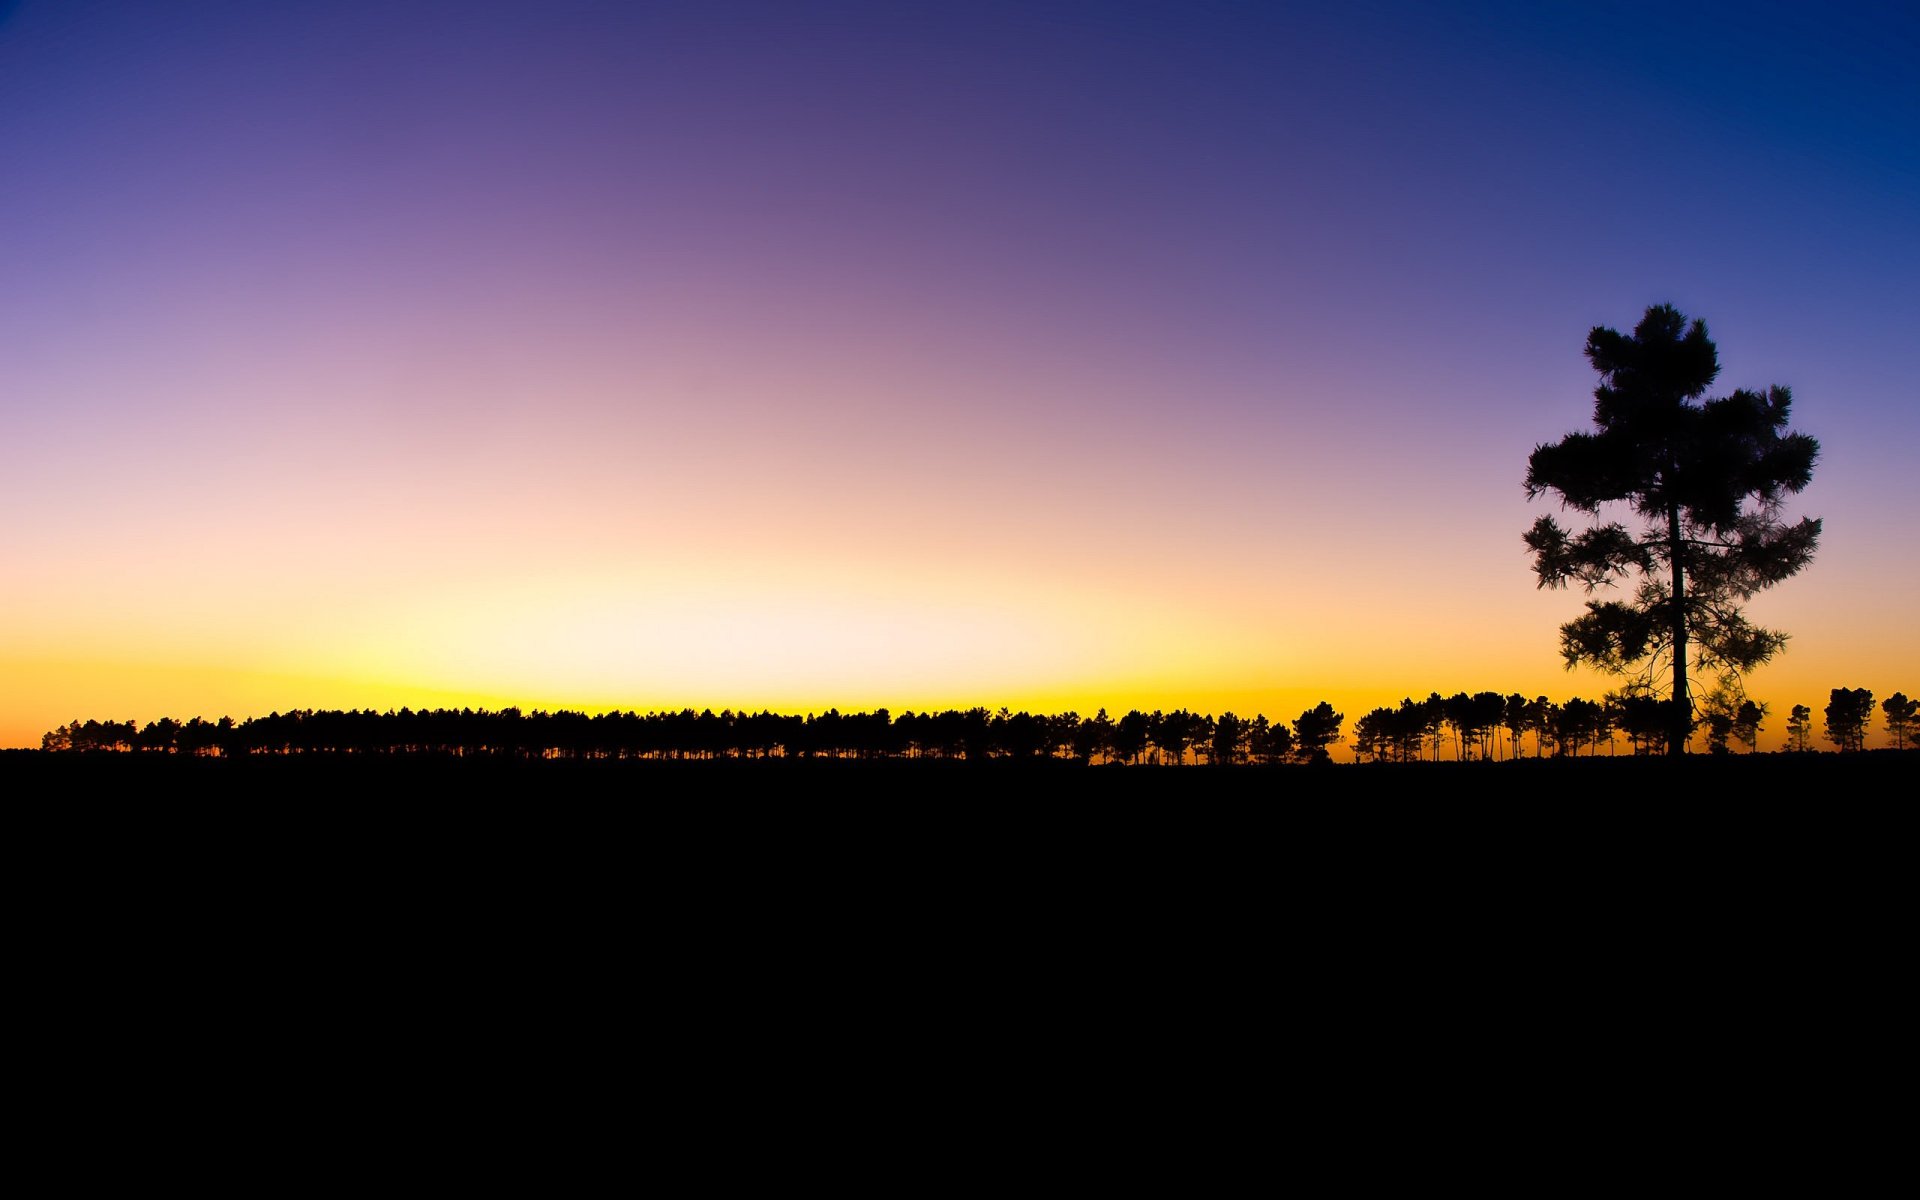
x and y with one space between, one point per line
855 354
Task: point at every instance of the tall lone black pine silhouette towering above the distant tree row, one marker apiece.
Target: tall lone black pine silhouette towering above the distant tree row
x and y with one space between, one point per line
1708 483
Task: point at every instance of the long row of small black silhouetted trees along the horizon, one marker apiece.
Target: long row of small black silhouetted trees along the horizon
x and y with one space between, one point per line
1483 727
